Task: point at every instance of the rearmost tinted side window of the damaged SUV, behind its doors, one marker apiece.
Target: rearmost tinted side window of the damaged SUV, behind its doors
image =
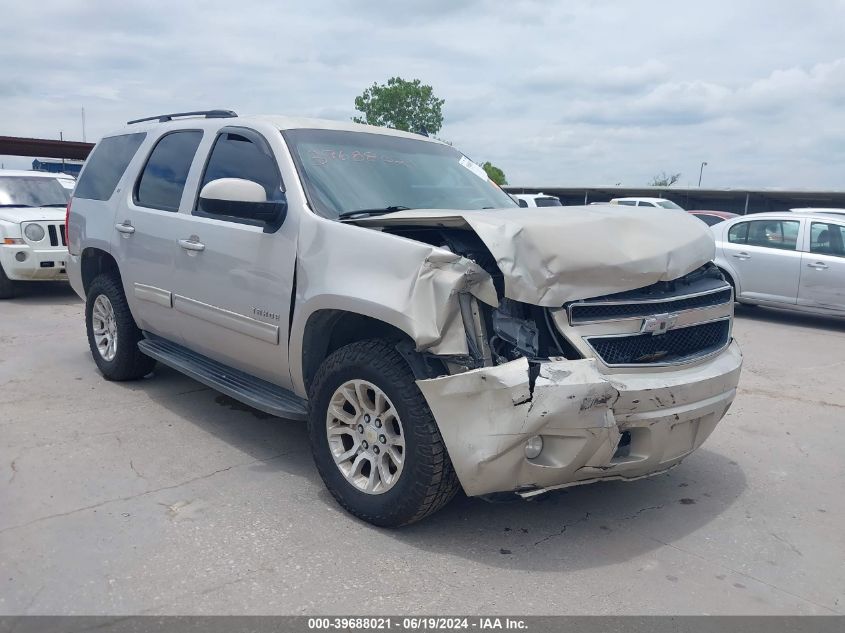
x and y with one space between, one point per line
106 165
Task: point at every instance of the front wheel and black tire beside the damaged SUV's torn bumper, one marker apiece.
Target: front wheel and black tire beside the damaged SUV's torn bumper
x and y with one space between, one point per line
426 480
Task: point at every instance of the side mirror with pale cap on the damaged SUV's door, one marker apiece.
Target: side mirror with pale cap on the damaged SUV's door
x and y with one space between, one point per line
245 199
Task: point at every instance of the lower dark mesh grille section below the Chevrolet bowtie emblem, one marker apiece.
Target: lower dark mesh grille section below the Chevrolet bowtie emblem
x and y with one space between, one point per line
675 346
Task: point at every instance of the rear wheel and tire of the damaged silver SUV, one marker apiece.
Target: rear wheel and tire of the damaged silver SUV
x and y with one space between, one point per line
125 361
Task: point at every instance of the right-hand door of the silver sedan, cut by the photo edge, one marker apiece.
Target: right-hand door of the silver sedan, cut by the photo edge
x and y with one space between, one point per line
823 267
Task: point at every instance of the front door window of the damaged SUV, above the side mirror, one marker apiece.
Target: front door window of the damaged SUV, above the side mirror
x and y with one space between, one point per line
246 155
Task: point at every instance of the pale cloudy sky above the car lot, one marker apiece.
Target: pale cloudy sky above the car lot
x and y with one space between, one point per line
584 92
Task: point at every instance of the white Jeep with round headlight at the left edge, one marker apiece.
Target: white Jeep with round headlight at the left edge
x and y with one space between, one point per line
32 228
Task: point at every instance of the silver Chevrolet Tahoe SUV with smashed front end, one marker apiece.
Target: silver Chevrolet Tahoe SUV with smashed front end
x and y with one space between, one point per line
376 283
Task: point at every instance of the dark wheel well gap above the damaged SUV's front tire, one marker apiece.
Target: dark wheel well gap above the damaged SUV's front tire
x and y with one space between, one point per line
329 330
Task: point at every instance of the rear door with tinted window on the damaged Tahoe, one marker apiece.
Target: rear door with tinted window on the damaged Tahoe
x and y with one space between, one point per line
146 222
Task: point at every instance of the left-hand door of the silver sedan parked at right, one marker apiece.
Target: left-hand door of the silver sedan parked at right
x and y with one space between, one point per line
764 255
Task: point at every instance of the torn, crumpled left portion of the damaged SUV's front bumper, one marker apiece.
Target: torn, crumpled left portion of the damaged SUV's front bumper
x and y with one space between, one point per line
486 415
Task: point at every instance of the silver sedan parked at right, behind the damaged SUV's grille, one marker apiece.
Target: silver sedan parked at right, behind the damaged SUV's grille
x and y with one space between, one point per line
785 260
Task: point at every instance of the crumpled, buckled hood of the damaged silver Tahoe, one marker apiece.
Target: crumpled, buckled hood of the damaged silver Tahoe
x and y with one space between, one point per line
552 255
